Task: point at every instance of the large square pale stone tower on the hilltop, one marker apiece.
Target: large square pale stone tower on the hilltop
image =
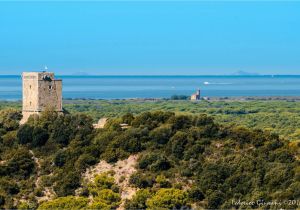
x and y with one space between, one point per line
40 90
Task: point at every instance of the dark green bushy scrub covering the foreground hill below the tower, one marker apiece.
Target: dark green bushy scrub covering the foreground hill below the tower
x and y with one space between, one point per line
184 161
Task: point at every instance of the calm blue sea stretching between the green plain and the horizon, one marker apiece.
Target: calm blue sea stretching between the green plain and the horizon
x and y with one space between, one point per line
112 87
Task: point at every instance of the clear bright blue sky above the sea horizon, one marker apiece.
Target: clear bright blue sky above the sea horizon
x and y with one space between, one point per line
143 37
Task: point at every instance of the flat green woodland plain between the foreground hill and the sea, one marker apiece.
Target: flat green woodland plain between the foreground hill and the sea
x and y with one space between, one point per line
278 116
